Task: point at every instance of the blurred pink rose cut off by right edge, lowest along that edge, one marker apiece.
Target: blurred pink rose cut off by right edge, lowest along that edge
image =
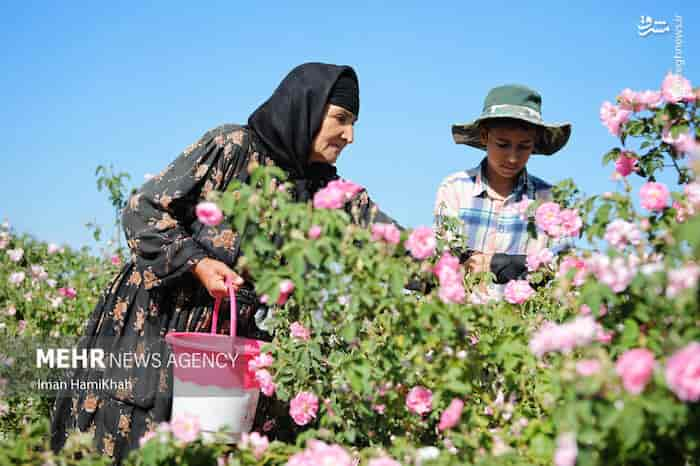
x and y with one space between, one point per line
683 373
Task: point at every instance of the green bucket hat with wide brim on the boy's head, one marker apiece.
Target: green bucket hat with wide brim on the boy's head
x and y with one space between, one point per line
520 103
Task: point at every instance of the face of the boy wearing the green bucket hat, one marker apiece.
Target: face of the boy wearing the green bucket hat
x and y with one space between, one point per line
509 149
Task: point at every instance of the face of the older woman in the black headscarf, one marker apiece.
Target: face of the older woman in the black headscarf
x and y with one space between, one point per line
335 133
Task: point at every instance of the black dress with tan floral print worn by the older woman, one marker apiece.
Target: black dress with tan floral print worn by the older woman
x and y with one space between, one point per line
155 293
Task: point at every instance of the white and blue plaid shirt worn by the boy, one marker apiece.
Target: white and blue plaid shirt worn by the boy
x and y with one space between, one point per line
490 223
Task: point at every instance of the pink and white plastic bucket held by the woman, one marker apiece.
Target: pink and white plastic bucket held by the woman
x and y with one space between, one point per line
211 376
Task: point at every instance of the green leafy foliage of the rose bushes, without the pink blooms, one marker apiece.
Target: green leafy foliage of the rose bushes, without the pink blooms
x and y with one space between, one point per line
372 340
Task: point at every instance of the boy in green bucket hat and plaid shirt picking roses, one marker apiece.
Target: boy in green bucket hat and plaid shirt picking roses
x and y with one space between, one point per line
484 199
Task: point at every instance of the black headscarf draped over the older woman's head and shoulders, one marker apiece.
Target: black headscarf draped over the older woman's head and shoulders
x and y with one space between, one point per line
288 122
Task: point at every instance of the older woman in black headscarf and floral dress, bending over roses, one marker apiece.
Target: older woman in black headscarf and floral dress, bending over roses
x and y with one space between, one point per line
179 264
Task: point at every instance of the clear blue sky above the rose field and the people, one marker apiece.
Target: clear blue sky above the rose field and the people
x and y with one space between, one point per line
90 83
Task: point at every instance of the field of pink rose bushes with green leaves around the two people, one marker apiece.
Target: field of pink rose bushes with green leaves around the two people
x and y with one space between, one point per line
388 352
